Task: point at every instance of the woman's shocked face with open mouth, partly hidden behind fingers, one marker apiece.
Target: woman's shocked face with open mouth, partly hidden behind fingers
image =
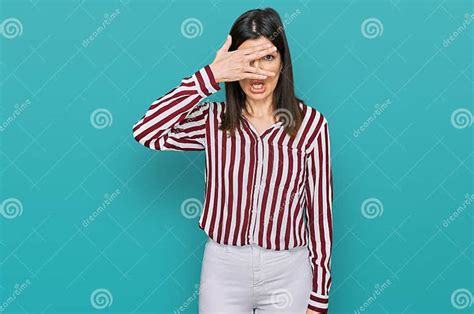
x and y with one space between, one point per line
261 89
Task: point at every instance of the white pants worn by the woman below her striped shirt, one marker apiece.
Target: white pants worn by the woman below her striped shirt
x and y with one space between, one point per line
250 279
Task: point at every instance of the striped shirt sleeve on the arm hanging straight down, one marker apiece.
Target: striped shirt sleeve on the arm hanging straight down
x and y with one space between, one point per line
319 199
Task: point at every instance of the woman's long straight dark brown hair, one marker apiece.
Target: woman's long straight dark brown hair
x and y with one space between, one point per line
252 25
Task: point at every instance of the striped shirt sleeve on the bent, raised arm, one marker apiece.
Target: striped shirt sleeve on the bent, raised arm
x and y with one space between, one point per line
177 120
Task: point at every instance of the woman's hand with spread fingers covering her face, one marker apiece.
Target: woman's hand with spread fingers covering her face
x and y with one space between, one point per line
235 65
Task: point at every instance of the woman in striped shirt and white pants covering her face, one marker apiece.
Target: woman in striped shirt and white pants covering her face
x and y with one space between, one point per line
267 160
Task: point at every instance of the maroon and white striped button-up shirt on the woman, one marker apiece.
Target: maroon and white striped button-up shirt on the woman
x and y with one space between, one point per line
257 185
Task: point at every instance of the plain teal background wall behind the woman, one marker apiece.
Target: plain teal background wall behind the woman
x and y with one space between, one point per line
59 168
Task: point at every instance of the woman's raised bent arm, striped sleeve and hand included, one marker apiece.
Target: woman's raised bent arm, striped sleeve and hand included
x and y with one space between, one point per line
177 120
